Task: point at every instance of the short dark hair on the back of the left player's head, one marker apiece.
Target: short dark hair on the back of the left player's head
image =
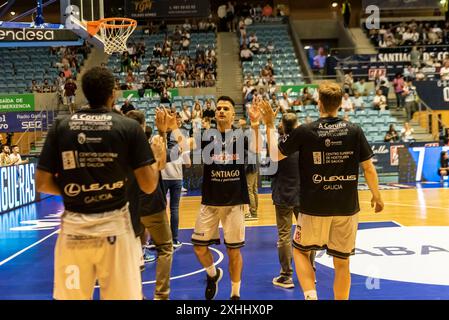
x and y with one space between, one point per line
98 86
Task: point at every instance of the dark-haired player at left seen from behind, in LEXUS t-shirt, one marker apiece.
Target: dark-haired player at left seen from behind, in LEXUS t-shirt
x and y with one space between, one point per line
85 159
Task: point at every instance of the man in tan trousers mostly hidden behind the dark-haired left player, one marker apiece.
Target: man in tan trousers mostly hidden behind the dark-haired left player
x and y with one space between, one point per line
152 211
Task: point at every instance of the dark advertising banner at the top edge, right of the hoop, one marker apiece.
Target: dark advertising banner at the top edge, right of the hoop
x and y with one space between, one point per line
141 9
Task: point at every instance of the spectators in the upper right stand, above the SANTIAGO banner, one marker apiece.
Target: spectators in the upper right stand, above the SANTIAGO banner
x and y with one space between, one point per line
410 33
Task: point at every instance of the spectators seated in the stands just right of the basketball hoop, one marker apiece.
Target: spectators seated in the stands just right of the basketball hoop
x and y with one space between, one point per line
180 71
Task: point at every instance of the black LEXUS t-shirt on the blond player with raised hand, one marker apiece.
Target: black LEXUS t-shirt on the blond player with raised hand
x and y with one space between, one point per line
330 151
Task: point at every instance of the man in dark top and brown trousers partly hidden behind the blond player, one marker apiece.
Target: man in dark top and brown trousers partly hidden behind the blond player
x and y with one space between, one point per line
285 194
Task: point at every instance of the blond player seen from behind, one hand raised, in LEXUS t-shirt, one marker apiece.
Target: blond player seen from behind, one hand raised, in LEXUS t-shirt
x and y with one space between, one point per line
330 152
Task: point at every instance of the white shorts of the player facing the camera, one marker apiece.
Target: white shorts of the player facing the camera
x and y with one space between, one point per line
207 226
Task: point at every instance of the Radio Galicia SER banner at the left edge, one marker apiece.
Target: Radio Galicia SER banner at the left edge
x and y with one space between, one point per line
24 121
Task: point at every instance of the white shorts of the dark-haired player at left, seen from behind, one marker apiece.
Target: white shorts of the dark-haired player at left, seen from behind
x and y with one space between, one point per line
81 259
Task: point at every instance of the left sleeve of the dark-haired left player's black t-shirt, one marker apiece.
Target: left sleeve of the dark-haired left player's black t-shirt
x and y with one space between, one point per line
49 158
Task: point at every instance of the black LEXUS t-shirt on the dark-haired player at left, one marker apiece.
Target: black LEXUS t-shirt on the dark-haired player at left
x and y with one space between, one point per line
91 152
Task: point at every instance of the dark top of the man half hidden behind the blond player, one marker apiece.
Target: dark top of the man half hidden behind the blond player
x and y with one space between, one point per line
286 182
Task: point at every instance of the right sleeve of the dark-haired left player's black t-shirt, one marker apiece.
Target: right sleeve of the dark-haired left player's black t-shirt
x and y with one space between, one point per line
140 153
